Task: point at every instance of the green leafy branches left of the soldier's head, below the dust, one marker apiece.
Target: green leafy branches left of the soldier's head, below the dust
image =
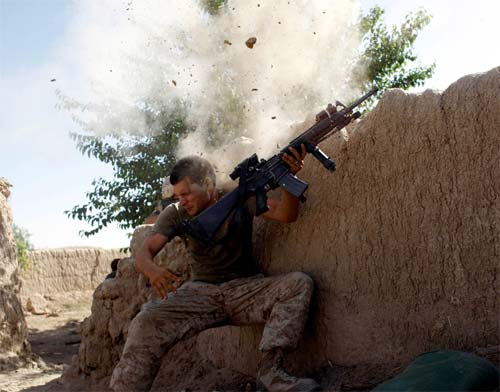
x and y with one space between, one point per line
139 163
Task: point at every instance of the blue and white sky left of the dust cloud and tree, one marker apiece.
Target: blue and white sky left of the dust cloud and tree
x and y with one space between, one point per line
36 153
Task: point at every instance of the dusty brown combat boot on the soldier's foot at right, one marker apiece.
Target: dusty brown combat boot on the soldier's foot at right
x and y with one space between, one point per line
273 377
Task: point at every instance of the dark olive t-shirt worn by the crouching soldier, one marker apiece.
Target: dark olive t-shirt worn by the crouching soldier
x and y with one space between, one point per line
230 256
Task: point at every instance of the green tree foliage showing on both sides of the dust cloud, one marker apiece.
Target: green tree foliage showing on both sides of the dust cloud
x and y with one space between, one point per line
140 162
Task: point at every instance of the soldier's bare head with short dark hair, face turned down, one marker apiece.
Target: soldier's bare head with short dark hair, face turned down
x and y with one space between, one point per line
193 179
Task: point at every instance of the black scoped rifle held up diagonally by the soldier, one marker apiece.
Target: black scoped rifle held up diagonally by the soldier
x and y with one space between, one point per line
258 177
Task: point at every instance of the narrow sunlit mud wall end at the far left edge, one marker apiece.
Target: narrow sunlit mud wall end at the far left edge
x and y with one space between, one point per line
13 331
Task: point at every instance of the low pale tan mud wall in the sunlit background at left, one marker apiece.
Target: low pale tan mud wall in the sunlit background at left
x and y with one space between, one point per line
64 270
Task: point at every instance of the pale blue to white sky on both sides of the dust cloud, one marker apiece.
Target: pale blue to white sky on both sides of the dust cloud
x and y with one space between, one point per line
37 45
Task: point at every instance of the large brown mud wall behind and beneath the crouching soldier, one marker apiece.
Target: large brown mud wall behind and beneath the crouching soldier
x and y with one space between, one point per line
403 242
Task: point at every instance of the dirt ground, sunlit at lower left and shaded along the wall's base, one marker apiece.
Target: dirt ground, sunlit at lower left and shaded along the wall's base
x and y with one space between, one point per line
55 340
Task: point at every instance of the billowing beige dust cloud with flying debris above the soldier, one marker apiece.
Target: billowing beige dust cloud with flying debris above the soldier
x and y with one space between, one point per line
243 76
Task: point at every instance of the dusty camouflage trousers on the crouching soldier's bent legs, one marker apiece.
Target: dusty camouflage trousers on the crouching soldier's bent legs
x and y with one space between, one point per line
281 302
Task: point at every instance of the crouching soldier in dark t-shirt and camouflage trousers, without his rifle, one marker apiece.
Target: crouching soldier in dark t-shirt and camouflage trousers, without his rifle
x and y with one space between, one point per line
225 289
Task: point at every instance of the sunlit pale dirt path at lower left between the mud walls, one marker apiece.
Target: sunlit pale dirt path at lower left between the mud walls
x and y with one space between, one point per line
54 340
